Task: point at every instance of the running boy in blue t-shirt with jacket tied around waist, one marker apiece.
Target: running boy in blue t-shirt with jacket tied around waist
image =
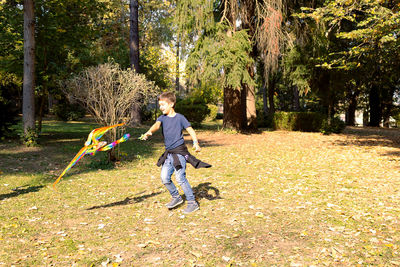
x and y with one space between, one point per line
176 154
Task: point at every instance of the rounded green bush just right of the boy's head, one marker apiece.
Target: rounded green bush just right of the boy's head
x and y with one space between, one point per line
194 109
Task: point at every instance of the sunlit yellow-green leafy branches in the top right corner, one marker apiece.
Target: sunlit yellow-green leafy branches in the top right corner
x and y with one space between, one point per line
363 29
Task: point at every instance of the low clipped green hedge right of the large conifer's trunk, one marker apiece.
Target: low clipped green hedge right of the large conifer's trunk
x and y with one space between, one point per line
297 121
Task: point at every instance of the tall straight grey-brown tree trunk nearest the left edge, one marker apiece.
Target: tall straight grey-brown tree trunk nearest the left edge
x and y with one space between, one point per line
28 103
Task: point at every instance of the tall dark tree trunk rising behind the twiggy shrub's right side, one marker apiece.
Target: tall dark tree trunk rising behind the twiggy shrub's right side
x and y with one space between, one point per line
134 35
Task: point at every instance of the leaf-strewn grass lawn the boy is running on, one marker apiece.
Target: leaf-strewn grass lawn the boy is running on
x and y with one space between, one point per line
273 198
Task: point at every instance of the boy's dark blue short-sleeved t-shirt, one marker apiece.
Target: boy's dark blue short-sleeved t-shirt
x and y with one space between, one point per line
172 130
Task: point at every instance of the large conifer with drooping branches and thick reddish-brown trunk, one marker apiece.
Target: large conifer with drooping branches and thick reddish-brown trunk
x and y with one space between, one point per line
256 23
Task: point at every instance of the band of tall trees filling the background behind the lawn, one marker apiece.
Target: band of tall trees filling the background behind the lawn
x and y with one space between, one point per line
256 57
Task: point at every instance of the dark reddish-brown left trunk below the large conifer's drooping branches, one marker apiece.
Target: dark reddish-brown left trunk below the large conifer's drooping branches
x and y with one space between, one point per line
232 109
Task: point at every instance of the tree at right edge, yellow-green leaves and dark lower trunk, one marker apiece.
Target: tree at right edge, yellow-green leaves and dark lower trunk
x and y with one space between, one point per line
366 37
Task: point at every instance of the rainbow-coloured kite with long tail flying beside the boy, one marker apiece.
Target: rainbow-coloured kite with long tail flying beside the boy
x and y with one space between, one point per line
92 145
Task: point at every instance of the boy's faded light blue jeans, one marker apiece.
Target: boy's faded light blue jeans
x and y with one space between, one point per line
168 169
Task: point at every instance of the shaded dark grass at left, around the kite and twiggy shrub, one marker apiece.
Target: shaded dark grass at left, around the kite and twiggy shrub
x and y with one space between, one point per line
59 143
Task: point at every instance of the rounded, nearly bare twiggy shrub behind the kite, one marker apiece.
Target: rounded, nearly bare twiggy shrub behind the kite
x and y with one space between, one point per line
108 92
